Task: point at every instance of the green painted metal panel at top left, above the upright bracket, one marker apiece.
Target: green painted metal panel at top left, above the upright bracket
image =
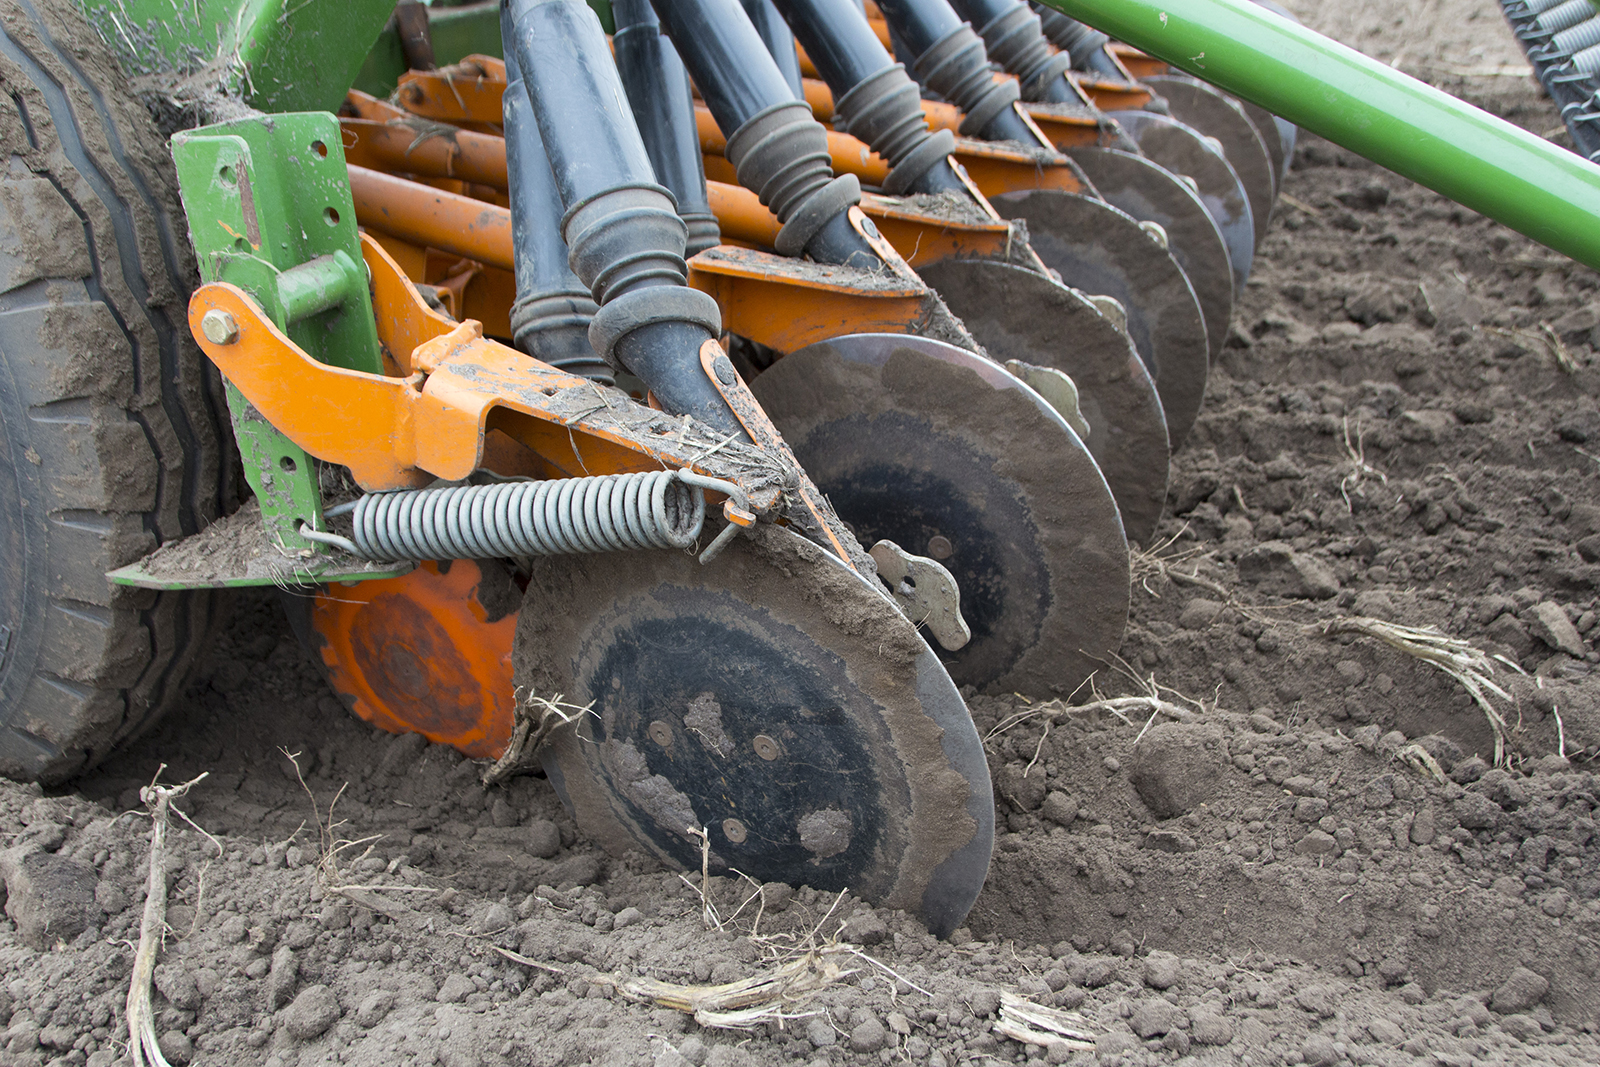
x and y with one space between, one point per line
278 55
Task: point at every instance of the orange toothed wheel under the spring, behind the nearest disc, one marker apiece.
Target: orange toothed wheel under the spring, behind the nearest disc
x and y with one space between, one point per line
428 652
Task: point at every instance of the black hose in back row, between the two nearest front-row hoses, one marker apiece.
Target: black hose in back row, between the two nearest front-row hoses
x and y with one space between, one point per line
658 92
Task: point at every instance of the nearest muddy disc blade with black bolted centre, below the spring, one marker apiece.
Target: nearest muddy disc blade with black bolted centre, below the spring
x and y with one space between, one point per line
772 698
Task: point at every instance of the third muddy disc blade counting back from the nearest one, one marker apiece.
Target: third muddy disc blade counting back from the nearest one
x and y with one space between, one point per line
1018 314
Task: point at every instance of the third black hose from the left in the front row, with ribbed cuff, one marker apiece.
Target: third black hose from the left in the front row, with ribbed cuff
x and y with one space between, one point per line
874 98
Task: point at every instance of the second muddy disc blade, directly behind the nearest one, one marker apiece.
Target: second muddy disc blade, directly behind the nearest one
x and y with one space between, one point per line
946 455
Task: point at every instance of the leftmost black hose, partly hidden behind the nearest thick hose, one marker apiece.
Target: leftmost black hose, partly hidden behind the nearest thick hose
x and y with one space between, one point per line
553 311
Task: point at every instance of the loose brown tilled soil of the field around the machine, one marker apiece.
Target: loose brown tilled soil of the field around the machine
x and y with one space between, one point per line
1266 873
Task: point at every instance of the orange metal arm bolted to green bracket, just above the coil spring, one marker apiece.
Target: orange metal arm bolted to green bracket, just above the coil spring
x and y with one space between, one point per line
458 402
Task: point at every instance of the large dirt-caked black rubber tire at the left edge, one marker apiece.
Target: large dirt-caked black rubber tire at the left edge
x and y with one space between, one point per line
114 431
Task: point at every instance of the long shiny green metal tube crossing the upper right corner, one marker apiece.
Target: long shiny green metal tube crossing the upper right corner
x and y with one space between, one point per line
1415 130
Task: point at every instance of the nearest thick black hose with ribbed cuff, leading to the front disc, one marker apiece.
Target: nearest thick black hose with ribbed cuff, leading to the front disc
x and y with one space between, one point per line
623 233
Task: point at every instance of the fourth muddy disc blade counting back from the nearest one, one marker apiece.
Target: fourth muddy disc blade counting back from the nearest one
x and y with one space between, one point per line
1098 249
